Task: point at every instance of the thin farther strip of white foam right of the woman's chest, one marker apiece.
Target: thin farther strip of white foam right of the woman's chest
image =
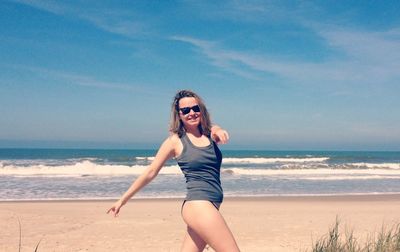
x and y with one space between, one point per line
273 160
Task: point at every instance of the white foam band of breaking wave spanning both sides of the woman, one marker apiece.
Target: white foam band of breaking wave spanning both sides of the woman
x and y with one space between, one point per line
88 168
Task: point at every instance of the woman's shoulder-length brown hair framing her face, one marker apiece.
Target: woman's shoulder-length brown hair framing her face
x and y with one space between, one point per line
176 125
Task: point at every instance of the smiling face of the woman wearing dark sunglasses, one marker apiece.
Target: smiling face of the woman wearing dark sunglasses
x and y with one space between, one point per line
189 105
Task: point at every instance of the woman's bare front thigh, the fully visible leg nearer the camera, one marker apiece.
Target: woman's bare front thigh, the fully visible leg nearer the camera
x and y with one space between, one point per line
208 224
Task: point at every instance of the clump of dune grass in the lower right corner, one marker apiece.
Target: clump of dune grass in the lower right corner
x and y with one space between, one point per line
387 240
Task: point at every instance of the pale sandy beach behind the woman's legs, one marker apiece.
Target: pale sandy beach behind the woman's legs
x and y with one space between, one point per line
259 224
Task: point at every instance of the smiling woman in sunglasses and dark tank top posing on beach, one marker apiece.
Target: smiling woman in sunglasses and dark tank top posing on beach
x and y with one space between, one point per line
192 145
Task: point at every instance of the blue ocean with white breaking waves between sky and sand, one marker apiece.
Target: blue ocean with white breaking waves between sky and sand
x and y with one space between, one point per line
86 174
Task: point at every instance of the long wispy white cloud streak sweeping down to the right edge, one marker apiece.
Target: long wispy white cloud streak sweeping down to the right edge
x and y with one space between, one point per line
367 57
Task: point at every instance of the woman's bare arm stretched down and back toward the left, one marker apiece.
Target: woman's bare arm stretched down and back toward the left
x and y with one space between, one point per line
165 152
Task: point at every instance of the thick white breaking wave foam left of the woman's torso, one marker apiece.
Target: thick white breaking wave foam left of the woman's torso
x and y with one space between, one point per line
84 168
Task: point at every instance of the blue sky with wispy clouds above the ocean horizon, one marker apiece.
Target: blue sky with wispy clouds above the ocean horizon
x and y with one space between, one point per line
278 75
